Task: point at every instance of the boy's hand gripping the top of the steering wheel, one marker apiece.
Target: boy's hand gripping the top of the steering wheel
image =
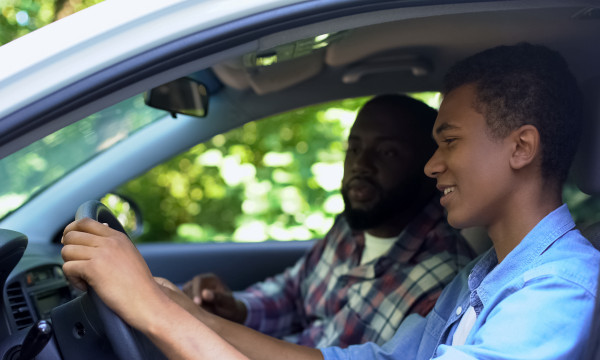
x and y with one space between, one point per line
107 260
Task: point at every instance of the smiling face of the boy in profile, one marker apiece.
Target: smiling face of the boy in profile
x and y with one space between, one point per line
471 168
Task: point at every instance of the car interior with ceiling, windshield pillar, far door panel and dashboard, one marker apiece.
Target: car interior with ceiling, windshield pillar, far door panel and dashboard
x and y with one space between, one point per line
269 63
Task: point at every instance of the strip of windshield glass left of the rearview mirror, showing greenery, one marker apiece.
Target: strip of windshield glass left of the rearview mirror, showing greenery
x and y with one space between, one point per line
28 171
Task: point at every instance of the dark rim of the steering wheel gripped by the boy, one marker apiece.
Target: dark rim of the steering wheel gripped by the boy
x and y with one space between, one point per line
121 336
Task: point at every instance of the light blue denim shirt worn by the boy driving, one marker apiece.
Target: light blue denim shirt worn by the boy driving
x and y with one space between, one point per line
537 304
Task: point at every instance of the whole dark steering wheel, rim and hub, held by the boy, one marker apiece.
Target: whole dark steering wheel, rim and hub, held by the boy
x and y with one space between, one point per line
86 322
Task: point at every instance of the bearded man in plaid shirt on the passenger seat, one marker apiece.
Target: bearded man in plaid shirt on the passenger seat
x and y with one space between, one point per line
389 254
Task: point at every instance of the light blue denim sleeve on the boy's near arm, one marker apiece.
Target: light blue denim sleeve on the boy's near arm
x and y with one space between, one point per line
540 321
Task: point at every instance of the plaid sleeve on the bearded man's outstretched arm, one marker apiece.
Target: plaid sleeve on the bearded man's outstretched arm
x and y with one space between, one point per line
275 306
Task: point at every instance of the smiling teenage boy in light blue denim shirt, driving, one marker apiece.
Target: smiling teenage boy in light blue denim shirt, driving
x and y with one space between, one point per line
507 131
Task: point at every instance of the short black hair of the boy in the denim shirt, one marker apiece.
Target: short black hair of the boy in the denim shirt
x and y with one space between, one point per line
526 84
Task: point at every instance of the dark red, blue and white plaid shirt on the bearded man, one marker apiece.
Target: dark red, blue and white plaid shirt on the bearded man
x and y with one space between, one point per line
327 298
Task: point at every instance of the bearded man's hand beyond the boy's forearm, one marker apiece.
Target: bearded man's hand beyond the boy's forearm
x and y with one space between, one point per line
208 291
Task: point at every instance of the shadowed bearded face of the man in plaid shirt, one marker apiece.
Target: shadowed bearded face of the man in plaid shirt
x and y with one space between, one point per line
383 166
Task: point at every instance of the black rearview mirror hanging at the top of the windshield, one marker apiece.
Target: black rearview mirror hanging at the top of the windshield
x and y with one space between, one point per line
182 96
